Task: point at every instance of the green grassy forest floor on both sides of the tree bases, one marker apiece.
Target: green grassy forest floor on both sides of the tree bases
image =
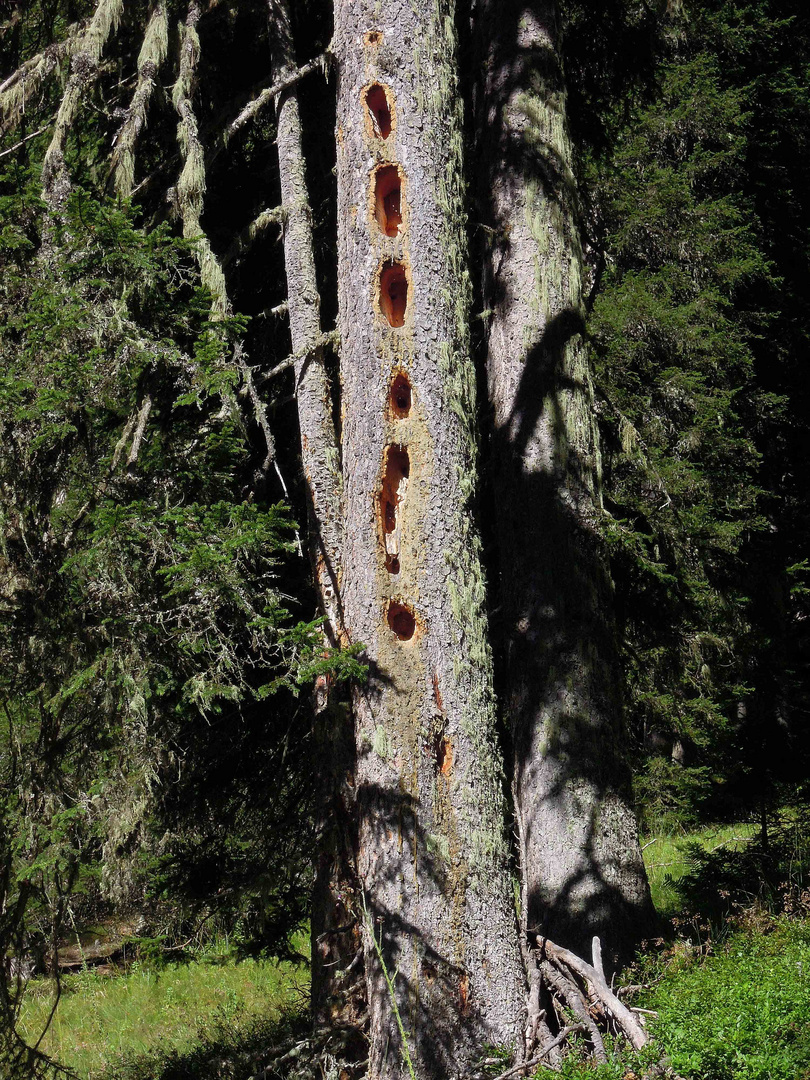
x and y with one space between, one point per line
726 989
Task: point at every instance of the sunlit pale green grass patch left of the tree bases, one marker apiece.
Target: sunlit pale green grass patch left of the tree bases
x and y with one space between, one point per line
104 1021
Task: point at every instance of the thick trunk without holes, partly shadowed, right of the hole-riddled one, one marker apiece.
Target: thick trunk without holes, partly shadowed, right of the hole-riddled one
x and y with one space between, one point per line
582 862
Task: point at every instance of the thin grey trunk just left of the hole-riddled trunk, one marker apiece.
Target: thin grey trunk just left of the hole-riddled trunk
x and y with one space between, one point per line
335 927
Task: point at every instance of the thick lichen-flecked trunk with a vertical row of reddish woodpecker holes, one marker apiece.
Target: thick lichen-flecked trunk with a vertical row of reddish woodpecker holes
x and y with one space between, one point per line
434 856
